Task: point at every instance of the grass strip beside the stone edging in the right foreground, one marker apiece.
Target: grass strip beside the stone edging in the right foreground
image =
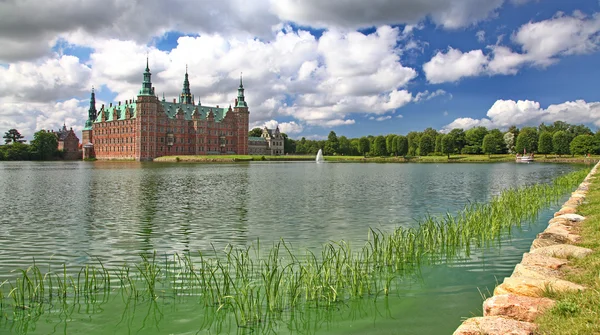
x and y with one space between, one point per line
579 313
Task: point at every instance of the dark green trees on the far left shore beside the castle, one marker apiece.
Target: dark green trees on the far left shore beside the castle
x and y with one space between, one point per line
44 146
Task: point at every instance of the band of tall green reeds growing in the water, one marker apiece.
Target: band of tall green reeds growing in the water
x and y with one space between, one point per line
259 284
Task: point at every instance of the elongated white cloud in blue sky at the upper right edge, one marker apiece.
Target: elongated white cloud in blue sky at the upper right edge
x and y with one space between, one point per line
541 42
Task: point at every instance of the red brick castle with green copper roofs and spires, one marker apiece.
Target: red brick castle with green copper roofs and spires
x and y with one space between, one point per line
147 128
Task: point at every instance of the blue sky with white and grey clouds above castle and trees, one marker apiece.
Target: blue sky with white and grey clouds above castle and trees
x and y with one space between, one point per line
309 66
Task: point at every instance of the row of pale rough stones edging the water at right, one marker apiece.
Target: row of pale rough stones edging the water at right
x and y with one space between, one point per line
519 299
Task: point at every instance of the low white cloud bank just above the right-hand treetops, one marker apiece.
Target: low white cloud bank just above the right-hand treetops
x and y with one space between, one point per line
505 113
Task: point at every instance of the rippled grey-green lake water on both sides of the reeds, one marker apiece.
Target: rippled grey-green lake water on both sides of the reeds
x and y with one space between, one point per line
72 212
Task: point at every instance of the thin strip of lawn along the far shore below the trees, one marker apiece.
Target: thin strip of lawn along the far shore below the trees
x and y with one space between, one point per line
416 159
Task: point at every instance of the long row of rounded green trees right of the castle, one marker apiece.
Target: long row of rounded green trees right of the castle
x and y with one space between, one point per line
558 138
